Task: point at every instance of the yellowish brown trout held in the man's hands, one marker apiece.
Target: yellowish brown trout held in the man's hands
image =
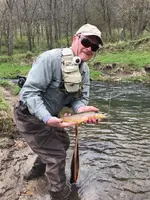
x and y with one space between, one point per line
81 117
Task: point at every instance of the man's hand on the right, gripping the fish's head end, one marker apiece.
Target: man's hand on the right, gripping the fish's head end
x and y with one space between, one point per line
88 109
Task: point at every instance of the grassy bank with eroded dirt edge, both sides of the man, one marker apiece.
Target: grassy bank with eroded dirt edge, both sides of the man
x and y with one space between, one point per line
122 61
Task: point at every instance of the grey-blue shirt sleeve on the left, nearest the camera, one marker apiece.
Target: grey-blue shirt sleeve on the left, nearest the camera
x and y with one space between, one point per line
37 81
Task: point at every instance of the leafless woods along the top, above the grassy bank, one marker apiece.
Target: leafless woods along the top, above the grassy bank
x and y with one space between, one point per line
35 25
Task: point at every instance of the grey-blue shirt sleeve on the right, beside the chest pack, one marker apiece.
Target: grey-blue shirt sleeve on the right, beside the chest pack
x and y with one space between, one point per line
83 100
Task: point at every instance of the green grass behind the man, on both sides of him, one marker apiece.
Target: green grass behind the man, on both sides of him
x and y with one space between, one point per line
121 53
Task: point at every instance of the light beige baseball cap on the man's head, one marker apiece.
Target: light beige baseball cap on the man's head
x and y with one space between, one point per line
88 29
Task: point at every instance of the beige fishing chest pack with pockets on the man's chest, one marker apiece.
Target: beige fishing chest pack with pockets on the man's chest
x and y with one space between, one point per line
70 71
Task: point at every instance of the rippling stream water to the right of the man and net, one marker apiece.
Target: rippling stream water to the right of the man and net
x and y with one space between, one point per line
115 156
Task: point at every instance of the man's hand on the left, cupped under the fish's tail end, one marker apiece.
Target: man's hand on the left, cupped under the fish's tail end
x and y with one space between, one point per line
56 122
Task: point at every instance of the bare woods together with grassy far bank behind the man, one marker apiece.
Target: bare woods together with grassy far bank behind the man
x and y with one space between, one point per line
29 27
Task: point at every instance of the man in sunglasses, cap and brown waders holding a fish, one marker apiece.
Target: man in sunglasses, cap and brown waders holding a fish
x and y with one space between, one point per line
58 78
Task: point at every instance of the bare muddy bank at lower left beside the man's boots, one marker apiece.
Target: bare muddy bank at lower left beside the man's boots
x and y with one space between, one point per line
16 159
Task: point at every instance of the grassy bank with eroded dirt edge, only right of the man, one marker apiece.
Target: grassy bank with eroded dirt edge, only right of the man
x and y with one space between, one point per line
123 61
